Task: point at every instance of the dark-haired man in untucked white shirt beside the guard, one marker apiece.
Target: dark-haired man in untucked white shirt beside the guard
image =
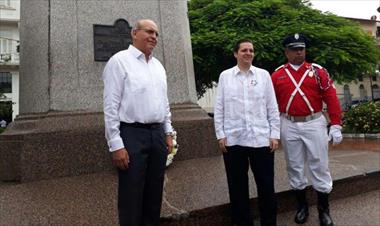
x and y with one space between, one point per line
247 126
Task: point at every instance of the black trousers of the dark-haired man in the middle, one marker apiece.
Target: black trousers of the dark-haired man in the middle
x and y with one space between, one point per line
237 161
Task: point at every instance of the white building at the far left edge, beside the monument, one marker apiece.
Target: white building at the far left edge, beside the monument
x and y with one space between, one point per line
9 56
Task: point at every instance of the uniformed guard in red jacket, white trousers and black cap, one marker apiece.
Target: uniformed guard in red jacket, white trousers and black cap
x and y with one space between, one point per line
301 89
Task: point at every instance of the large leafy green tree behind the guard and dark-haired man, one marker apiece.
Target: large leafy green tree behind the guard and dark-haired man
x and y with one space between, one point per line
336 43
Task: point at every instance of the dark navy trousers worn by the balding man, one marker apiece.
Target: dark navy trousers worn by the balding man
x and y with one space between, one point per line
141 185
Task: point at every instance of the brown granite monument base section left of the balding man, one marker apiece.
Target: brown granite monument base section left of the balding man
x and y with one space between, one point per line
43 146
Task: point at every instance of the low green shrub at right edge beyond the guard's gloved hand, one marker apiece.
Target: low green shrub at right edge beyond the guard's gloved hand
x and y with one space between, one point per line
364 118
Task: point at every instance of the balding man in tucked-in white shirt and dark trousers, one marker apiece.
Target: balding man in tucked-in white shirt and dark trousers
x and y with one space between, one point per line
138 126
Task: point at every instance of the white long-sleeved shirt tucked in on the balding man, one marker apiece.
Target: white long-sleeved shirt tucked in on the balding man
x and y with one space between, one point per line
134 91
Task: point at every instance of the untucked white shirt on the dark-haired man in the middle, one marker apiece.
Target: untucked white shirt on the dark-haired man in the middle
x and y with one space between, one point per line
246 111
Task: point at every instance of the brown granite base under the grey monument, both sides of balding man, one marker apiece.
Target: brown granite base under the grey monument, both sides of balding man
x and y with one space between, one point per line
58 144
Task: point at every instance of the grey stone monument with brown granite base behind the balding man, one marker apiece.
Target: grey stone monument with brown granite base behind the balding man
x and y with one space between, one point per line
60 129
